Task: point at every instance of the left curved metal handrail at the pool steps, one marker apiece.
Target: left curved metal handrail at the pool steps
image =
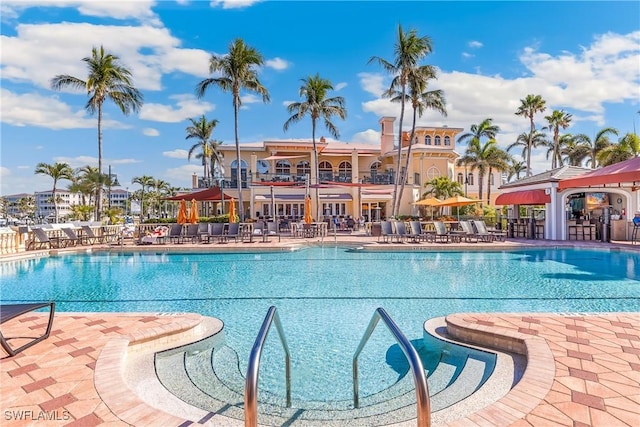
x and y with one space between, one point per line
251 384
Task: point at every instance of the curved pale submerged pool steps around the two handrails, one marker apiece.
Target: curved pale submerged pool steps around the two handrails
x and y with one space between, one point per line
211 380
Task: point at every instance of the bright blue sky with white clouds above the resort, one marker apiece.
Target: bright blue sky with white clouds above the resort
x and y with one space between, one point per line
582 57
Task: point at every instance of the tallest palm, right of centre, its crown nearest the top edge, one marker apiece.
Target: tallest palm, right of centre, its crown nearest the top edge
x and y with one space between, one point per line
408 51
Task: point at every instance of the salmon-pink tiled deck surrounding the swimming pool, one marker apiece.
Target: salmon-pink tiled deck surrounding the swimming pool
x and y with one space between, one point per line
583 369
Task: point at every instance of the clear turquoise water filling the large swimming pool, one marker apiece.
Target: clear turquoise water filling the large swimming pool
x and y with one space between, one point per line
326 297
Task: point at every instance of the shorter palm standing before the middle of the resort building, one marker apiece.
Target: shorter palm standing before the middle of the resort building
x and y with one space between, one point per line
317 106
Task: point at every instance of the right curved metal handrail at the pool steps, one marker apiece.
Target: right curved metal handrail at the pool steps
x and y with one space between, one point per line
419 378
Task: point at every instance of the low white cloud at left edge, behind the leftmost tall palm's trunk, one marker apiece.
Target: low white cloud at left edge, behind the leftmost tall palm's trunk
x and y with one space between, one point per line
31 109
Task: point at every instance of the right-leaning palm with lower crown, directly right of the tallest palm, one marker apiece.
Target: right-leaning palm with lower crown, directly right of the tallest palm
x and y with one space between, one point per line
421 99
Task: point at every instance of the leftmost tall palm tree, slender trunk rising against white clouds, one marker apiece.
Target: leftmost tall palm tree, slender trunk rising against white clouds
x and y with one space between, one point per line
107 79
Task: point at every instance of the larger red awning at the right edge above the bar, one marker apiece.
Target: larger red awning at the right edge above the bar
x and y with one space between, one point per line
626 173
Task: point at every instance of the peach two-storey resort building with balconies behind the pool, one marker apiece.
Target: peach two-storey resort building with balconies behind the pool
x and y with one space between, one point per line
353 179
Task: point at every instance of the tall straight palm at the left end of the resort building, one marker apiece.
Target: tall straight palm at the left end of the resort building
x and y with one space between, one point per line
238 71
